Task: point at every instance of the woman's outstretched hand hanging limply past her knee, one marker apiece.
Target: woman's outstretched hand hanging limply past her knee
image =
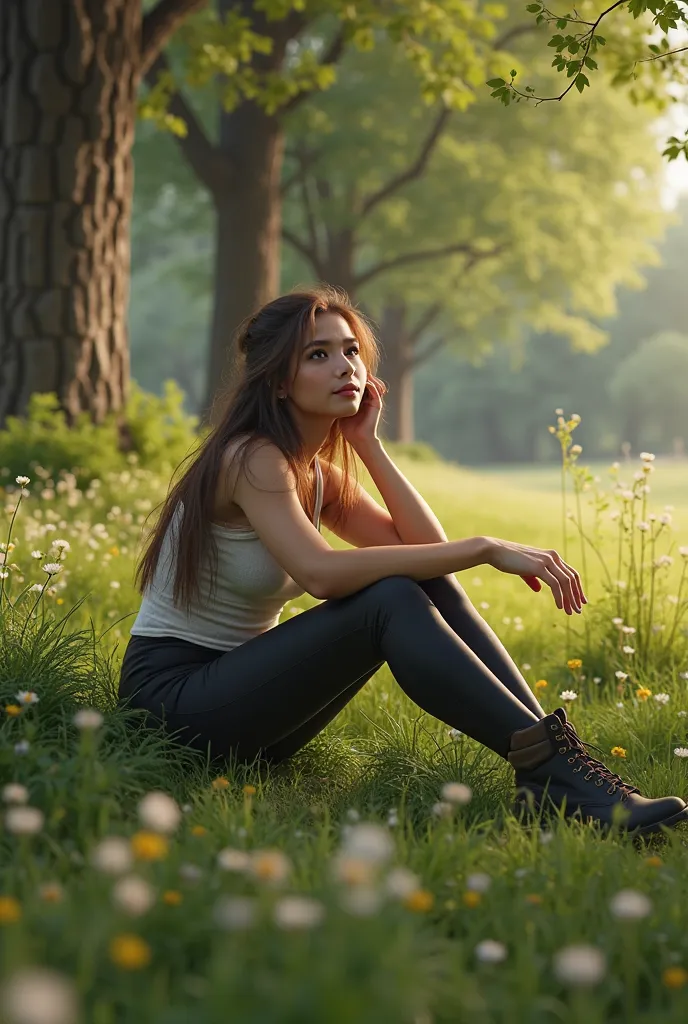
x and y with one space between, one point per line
521 560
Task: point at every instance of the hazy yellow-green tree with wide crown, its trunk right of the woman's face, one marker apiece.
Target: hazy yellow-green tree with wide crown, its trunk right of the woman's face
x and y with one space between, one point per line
474 228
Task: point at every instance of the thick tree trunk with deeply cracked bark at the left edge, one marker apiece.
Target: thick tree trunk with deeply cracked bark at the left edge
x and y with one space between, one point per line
68 81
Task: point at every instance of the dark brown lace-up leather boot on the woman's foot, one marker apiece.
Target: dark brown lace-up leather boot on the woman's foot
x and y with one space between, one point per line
550 755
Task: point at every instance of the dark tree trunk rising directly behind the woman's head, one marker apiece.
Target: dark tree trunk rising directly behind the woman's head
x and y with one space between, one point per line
249 232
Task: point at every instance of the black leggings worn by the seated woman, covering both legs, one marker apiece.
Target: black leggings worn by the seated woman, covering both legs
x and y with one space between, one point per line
271 696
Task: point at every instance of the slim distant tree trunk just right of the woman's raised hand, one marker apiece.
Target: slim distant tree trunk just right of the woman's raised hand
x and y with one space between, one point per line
398 372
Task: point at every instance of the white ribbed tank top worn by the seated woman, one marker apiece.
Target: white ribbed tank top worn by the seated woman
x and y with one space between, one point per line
251 589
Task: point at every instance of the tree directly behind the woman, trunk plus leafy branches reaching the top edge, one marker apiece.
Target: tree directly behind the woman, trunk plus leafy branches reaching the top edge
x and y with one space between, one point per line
288 52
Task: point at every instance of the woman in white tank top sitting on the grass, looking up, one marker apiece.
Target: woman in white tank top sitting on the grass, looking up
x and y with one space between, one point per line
239 536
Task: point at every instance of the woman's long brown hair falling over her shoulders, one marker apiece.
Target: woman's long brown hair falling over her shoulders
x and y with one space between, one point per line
264 349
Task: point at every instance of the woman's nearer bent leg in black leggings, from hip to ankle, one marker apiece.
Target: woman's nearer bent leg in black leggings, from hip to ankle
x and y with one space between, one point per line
253 697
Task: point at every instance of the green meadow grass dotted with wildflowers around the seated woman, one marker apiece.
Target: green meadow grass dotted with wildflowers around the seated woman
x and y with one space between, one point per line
196 937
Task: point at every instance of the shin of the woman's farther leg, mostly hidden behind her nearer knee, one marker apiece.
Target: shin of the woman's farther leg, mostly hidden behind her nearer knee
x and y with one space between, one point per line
452 601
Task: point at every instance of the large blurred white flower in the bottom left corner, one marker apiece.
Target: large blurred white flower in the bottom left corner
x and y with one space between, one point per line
39 996
